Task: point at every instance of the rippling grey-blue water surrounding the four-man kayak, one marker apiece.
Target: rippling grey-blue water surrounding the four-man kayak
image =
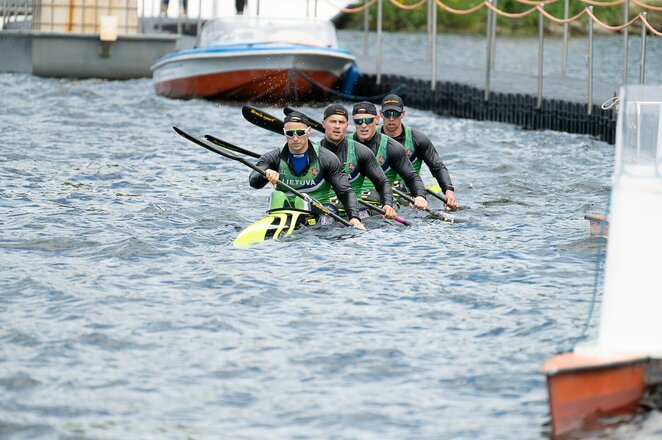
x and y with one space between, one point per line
127 313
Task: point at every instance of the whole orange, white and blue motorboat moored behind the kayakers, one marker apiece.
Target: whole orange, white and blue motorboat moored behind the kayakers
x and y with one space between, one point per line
258 58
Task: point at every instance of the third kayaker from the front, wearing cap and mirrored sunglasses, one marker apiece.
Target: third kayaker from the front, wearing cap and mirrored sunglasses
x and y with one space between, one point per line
390 154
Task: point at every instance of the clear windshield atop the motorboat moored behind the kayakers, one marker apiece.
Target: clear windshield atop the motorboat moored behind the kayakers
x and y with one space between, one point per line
247 30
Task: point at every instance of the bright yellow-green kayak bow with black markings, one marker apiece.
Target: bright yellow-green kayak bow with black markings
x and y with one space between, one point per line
279 223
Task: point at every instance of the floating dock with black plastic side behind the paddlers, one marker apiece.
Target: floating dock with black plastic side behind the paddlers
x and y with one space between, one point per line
511 100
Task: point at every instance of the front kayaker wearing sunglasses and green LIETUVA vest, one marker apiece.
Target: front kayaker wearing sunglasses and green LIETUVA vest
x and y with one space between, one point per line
307 168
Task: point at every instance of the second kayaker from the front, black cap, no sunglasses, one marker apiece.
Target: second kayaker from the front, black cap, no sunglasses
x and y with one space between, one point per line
358 160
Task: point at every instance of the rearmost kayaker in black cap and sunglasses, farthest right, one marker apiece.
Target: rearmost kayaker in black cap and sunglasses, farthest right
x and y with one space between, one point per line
417 145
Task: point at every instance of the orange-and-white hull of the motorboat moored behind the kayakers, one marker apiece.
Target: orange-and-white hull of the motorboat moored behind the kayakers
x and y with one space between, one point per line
262 75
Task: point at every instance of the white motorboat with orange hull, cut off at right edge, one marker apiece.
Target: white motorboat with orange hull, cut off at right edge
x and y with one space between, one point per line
620 373
